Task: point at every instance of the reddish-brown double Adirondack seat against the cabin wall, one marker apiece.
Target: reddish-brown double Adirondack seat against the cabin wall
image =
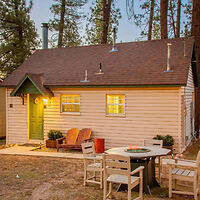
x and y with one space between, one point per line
74 138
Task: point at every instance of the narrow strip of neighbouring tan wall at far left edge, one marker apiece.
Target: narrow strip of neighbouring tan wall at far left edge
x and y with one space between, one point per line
2 112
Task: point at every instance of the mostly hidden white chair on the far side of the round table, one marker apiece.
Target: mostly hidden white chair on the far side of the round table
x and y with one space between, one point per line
159 143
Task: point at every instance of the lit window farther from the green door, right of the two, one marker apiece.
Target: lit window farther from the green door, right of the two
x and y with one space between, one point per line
115 104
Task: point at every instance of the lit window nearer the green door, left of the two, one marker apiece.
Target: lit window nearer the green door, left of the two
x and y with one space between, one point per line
70 103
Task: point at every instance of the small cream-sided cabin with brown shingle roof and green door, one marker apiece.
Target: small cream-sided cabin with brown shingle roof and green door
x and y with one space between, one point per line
124 93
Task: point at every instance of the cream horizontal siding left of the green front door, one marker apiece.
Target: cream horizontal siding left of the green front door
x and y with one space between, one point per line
16 120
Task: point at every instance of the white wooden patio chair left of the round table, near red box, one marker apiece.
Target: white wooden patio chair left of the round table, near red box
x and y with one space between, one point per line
92 163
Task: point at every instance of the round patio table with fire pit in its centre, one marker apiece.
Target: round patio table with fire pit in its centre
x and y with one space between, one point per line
146 159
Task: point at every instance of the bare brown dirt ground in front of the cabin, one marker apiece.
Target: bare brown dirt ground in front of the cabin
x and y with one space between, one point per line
42 178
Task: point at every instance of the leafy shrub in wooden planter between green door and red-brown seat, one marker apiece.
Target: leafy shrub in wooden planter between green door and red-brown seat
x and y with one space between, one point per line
52 136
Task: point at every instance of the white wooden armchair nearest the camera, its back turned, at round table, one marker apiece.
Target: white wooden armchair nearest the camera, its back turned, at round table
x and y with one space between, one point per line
117 169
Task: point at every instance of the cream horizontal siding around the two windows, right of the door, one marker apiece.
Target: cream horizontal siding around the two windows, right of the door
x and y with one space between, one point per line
148 112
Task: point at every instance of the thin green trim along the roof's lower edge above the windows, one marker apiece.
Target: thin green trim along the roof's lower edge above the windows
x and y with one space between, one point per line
112 86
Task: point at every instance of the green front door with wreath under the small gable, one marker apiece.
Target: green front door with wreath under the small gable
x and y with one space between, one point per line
36 117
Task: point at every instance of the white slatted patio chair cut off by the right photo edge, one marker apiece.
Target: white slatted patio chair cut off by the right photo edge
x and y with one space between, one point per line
184 170
